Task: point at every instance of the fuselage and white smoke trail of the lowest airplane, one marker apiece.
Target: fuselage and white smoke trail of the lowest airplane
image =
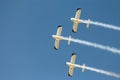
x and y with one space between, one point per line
97 70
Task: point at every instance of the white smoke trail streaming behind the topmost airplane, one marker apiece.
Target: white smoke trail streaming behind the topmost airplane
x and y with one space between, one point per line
102 24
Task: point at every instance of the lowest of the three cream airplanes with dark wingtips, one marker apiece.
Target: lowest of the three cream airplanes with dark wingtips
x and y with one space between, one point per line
72 65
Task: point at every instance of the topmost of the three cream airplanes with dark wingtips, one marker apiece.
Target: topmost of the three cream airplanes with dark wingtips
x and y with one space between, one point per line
77 20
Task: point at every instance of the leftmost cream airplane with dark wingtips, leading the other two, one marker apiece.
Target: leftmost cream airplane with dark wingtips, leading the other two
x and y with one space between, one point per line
58 37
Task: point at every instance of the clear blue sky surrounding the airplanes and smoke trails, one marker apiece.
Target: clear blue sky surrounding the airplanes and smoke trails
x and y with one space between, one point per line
26 50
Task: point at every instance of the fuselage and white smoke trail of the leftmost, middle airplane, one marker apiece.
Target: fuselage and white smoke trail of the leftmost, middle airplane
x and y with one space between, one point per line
111 49
